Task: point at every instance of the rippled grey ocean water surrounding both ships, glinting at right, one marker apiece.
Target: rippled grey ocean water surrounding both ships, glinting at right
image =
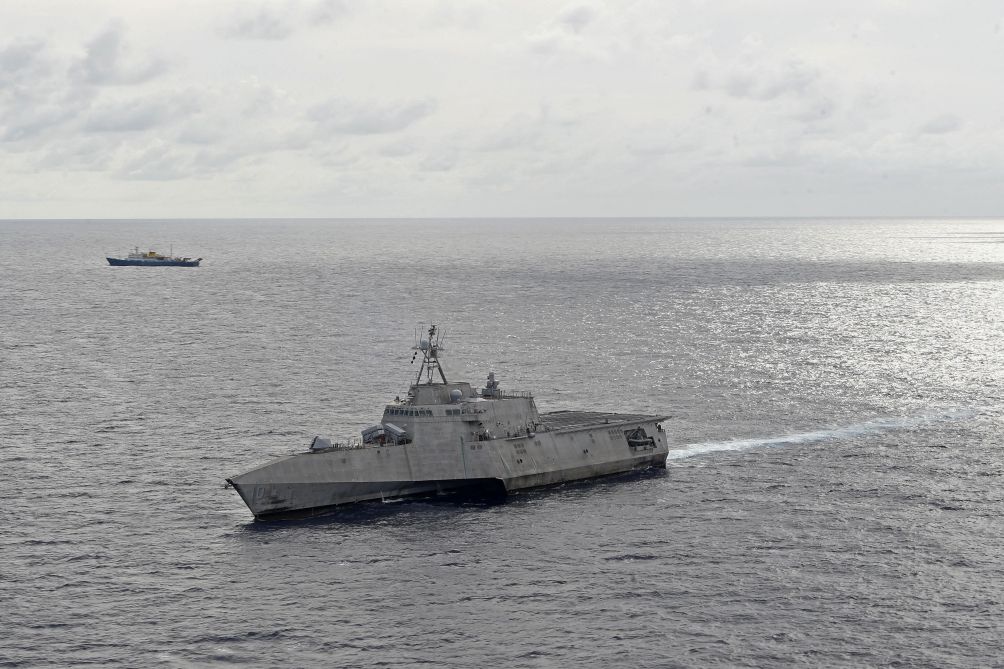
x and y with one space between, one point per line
834 497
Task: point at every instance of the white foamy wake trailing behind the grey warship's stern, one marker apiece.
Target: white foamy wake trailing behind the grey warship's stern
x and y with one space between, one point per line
862 429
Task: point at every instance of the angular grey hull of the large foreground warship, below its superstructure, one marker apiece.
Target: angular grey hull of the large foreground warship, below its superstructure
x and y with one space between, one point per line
310 483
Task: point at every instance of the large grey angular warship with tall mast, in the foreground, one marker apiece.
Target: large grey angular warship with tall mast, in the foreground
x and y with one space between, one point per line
447 437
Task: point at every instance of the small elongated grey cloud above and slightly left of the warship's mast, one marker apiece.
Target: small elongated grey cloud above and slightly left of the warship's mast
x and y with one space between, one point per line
347 117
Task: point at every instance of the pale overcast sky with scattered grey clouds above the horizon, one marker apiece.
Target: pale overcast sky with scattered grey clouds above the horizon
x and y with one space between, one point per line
166 109
